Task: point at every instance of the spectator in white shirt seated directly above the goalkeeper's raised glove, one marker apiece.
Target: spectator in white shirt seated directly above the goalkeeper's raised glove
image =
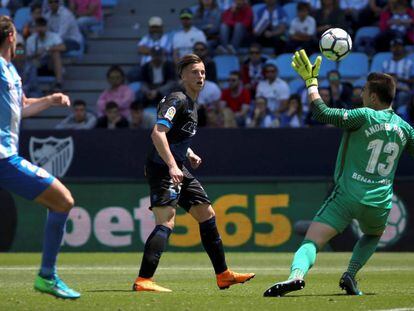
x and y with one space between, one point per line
302 30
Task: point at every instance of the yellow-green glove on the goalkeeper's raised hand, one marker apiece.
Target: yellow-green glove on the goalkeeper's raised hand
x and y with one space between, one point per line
308 71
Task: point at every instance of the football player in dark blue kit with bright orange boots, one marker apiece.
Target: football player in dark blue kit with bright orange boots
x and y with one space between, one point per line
171 184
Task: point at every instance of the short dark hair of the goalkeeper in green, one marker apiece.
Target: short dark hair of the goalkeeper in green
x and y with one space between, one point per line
383 85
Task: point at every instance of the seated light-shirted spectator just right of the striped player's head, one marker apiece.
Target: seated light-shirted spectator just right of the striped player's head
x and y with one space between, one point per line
44 49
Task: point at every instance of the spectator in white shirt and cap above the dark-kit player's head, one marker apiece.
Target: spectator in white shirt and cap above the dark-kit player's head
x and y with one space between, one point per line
185 39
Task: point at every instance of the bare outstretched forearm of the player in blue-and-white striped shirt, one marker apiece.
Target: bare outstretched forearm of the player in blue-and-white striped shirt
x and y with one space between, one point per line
33 106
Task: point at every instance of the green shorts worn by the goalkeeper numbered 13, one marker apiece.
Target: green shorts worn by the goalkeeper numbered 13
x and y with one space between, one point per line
339 210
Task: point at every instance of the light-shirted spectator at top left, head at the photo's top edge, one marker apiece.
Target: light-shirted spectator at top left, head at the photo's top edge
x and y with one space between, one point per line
63 22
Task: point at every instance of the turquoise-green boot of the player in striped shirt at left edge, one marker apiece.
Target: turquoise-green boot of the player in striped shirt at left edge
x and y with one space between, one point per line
56 287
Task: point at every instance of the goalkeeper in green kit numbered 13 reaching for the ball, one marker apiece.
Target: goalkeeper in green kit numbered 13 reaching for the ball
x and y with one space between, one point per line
374 139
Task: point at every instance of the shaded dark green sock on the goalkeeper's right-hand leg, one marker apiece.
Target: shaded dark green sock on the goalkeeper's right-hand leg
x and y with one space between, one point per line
363 250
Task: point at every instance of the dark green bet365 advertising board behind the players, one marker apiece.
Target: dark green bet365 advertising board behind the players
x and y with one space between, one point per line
261 216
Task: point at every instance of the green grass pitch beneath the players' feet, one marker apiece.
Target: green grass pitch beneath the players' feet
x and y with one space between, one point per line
105 281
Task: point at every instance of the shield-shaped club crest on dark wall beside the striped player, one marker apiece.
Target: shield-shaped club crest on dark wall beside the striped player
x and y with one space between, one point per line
51 153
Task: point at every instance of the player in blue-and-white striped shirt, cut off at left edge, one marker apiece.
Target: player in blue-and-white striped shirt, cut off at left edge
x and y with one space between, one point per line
22 177
